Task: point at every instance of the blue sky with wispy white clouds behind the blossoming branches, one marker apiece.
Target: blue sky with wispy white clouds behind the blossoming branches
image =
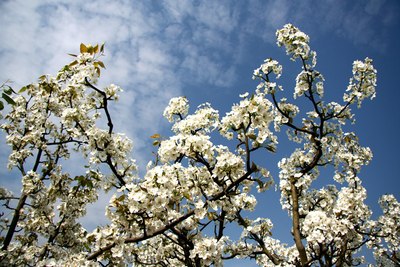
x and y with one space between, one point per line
207 51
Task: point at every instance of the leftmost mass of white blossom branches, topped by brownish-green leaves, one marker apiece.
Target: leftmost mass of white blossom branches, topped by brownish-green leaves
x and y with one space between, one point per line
50 121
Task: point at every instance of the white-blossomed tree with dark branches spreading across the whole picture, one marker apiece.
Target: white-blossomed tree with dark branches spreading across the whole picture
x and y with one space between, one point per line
177 214
